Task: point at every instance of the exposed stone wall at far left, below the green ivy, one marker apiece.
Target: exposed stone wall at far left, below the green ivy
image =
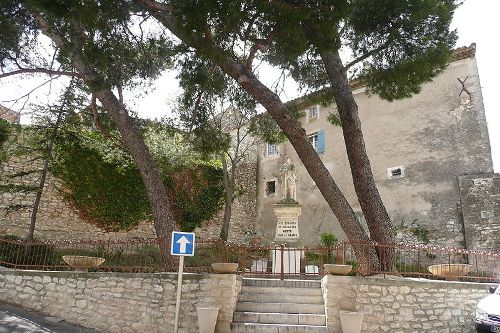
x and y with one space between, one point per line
56 218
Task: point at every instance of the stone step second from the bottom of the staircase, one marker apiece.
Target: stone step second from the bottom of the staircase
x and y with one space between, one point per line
279 318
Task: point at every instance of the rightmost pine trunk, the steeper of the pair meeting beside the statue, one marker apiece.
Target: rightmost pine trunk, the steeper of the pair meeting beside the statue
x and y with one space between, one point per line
378 221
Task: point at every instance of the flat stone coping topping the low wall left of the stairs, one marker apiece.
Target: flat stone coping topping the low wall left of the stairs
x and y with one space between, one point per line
96 275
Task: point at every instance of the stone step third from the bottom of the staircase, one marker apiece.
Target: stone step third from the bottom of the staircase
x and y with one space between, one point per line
281 308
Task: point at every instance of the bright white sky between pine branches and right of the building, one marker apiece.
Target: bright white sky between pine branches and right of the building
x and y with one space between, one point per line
477 21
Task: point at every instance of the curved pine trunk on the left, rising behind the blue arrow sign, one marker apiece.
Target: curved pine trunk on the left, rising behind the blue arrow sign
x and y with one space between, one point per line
162 216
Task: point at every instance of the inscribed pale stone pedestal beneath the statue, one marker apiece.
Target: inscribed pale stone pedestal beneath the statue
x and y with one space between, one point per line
287 228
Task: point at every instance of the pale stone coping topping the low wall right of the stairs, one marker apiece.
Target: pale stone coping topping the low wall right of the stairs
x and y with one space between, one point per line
391 280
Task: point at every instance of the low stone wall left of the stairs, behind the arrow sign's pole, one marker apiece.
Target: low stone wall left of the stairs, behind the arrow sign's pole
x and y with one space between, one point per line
124 302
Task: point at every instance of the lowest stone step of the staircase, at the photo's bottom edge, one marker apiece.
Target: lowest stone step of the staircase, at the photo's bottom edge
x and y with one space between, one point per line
278 328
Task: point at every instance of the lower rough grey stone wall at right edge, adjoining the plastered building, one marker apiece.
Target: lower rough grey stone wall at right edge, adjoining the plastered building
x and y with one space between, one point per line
480 199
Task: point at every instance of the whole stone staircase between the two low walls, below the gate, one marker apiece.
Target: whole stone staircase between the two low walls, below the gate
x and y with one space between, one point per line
274 306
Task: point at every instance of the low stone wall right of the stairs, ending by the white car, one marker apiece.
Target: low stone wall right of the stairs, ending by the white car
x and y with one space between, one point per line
403 305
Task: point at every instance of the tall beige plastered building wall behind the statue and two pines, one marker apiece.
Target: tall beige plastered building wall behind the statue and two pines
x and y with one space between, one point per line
434 137
